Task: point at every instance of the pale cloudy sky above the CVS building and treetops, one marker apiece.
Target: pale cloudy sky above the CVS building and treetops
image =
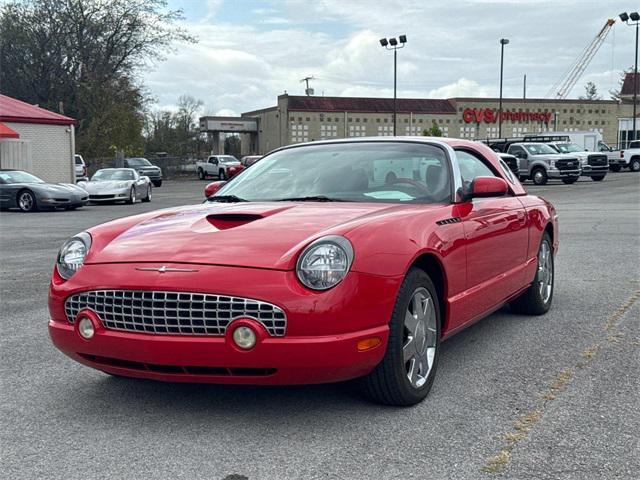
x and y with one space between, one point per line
250 51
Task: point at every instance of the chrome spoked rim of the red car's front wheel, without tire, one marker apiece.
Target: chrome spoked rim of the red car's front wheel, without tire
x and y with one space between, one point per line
419 347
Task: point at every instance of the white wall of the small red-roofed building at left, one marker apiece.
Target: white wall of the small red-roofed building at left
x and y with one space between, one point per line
51 150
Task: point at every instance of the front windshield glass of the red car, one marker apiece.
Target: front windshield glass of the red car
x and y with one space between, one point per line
393 172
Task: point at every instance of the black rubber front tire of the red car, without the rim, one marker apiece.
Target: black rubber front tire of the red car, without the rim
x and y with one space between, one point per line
388 383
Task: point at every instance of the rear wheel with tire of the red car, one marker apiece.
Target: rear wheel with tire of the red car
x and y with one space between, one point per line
536 300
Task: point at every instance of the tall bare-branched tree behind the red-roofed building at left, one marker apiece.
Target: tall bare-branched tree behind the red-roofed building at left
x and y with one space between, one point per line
82 57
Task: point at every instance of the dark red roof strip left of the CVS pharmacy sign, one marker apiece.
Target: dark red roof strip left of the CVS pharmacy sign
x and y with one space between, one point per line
369 105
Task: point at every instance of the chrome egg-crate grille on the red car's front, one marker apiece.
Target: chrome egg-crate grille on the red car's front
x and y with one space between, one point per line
173 313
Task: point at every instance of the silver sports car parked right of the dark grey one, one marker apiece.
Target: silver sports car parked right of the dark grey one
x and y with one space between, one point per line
118 185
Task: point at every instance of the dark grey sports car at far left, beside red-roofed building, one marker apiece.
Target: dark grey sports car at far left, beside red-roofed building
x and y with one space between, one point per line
19 189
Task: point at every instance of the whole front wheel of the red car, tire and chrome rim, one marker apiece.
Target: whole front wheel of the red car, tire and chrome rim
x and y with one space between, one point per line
406 373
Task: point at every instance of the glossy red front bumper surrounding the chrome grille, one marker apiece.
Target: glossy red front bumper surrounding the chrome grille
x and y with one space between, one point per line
320 344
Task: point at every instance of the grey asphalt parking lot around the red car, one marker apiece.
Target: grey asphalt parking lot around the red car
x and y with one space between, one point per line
515 397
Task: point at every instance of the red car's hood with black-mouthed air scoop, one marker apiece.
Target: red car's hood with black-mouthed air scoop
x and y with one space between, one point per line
261 235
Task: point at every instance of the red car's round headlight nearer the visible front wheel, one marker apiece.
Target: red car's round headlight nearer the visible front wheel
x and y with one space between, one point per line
325 262
